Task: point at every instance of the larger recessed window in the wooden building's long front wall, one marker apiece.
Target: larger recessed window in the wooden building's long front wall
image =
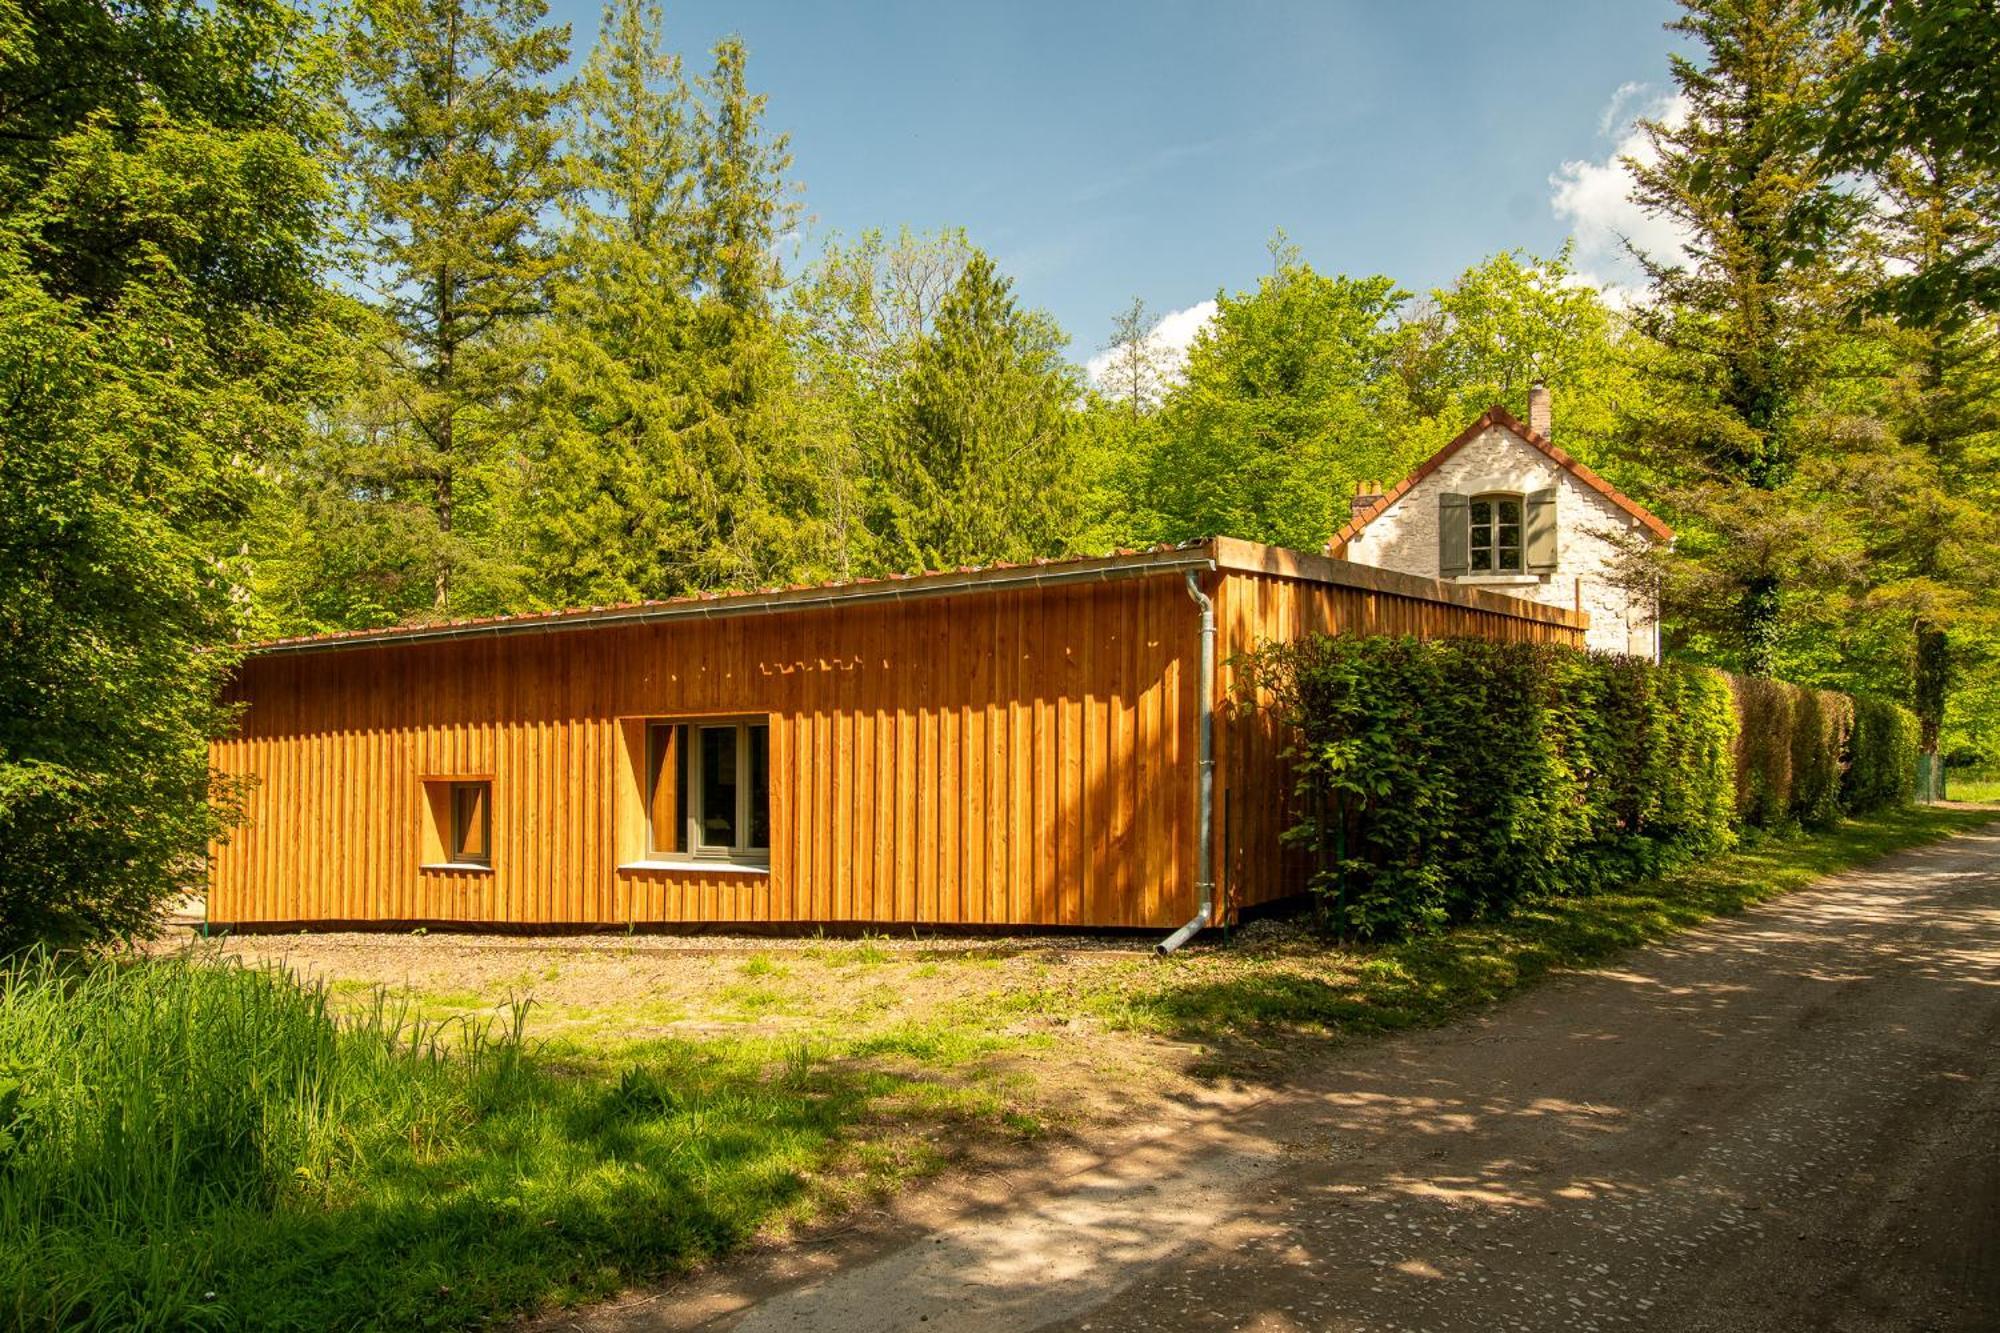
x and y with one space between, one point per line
709 790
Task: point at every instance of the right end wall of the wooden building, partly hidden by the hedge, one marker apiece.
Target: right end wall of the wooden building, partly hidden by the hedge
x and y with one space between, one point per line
1275 597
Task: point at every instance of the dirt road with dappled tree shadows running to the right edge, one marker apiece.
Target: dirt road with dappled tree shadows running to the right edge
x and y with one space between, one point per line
1783 1122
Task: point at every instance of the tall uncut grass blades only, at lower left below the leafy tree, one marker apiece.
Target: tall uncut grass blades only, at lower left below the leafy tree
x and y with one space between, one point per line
141 1102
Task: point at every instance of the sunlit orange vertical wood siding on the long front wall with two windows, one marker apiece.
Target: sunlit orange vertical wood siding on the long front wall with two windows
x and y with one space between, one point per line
985 758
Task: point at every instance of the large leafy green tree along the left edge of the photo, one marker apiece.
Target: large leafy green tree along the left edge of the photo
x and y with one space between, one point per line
163 207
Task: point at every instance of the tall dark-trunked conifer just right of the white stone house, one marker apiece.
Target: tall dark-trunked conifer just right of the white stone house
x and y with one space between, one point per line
1745 323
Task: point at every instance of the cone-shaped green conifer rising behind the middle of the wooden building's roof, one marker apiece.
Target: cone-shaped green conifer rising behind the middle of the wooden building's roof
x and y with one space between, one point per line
981 463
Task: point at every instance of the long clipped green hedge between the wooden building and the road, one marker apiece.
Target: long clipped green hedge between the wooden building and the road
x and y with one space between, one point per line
1441 780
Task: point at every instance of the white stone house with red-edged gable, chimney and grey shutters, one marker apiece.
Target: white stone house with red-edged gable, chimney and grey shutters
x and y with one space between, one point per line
1503 509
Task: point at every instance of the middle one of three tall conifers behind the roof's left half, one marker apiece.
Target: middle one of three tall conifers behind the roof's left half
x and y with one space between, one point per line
613 501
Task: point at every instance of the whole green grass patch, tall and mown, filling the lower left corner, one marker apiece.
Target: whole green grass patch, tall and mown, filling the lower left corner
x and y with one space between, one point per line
193 1144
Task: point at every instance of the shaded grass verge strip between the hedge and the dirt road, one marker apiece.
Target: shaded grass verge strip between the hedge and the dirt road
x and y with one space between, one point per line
1257 998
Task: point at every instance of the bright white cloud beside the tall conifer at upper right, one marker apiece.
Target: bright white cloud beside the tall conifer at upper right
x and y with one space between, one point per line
1595 197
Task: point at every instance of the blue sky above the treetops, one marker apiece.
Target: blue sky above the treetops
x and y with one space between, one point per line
1115 151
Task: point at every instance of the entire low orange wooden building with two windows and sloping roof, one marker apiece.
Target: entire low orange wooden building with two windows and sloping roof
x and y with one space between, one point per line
1015 746
